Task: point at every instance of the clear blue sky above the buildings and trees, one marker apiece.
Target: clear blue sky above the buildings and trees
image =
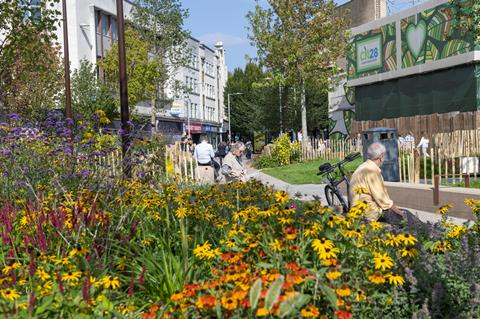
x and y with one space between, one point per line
211 21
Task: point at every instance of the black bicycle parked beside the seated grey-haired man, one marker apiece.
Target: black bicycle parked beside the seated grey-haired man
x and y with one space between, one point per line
333 193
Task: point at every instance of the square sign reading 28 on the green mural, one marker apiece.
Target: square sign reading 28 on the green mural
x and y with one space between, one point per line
369 54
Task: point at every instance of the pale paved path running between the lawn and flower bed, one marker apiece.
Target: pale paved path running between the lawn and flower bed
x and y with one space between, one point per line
308 191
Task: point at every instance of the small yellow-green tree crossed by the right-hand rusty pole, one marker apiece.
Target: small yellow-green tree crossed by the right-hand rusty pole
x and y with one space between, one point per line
142 71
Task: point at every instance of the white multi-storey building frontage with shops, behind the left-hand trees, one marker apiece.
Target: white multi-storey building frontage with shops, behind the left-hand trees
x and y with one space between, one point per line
92 29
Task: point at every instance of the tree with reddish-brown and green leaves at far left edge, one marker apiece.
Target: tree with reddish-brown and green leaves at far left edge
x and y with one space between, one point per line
26 32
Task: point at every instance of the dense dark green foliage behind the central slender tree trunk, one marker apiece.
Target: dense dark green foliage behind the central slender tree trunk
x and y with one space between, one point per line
258 108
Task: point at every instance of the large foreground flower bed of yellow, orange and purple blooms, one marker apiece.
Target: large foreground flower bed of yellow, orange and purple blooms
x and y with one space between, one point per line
107 247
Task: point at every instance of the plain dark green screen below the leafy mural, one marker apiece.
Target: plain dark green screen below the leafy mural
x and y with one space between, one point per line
450 90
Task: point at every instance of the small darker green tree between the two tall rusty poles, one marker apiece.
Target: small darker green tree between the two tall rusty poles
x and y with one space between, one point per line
89 94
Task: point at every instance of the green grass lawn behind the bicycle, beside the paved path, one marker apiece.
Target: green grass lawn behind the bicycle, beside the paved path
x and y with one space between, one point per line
305 173
